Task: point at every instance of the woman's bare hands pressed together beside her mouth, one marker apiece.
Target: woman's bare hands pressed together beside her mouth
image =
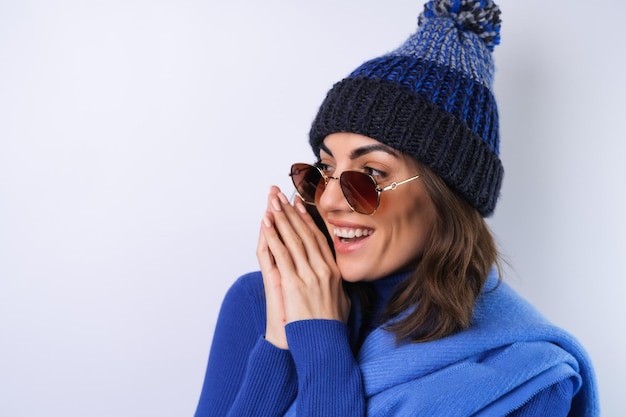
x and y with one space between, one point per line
302 280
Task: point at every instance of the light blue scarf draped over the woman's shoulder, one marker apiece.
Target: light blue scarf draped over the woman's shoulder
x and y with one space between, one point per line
509 354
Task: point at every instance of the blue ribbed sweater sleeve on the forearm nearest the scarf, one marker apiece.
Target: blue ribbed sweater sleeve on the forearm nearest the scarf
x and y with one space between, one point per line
329 378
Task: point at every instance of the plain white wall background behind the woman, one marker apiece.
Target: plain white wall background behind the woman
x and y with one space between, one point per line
138 140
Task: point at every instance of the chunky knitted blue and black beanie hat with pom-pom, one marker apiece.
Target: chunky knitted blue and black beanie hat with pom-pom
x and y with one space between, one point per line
431 99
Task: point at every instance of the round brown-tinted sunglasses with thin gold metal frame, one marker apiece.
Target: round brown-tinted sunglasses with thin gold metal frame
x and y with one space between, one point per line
361 190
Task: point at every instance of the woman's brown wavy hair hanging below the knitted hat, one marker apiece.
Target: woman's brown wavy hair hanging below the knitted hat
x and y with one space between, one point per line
458 256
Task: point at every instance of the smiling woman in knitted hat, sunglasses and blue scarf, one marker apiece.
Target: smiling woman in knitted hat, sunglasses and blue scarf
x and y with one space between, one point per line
403 313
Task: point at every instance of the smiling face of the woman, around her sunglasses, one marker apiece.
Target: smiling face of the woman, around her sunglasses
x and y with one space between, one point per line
393 238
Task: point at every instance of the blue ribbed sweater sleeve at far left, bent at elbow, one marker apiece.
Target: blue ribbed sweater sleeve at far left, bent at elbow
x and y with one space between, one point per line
246 375
